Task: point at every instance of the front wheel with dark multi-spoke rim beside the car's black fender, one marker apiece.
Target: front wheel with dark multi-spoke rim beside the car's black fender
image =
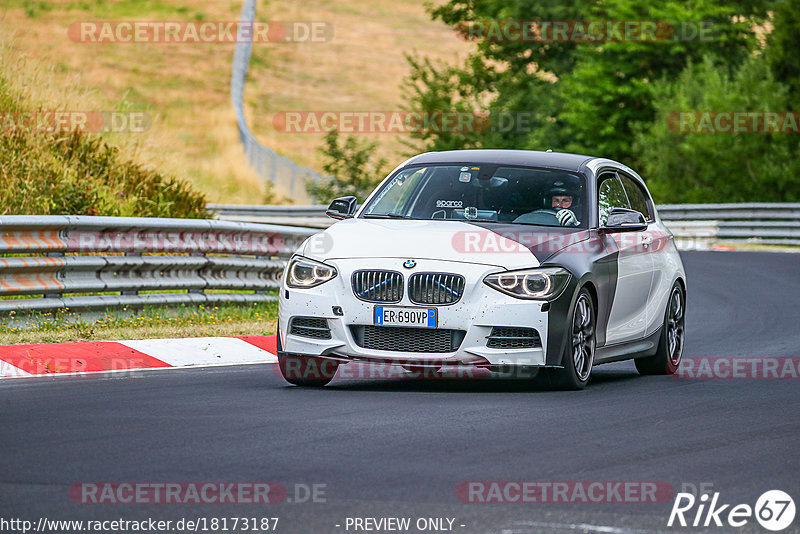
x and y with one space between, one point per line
578 356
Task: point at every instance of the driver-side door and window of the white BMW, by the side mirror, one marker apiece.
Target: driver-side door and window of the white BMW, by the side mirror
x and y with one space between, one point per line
628 316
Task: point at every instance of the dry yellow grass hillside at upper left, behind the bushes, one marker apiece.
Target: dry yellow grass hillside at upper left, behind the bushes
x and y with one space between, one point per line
185 87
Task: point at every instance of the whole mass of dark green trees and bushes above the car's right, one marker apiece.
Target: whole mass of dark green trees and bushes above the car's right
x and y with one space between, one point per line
613 98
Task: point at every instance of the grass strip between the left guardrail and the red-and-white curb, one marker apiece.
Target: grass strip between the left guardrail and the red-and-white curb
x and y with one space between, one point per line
65 326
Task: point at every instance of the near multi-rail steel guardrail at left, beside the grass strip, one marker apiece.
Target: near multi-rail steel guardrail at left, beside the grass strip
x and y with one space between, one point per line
144 261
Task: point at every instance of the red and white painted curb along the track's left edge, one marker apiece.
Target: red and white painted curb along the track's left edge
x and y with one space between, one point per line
51 359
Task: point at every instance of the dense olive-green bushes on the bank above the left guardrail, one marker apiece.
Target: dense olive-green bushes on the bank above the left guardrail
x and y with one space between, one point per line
80 174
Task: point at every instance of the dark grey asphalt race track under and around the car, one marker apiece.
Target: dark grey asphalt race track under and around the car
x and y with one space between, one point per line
399 448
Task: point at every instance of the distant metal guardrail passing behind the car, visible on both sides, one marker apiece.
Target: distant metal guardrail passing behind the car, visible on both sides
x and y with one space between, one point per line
695 226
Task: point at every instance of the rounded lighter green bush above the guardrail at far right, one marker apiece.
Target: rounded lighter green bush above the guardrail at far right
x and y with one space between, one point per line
718 167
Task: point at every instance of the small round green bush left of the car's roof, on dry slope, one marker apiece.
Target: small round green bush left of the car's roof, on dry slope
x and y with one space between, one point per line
352 168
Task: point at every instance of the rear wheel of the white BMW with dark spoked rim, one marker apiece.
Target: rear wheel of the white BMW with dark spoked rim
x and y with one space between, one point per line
668 355
